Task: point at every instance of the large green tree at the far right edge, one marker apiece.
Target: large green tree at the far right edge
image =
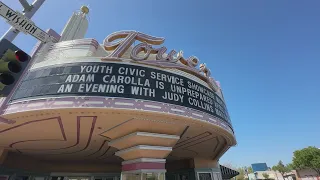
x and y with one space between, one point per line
307 158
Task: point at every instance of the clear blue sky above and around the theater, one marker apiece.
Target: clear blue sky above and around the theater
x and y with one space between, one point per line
266 54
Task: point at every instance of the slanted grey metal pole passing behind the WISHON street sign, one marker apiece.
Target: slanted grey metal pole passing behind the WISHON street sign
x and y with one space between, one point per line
12 33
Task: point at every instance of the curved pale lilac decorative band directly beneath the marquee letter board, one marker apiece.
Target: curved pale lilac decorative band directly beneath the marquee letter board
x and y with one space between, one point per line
101 102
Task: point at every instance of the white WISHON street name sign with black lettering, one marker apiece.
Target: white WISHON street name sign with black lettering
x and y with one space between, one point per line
23 24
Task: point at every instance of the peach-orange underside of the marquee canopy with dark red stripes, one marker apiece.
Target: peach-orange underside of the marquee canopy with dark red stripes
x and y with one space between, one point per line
86 134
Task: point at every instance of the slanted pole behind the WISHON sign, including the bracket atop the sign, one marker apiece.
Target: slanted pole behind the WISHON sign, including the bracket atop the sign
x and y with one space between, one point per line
29 11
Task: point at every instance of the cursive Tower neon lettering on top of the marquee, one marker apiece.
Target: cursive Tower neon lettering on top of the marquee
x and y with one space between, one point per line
119 47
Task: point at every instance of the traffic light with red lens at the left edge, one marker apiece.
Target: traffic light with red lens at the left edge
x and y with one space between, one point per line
13 61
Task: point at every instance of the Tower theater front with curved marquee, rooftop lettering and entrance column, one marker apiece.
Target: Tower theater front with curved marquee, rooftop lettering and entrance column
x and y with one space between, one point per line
125 109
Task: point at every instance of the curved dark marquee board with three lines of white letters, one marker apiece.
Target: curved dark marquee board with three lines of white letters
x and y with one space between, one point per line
120 80
